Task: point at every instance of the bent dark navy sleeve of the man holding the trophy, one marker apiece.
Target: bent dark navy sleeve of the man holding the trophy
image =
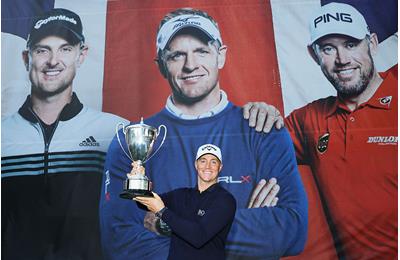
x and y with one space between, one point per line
200 231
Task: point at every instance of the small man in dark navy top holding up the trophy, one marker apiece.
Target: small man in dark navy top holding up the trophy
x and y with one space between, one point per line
200 217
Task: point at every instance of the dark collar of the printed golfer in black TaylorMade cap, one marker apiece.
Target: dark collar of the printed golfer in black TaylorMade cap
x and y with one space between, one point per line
69 111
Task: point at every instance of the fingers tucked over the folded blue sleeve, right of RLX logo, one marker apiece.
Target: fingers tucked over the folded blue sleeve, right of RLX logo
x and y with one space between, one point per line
264 195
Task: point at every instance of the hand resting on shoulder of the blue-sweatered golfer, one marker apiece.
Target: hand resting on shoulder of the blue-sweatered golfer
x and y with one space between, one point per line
262 116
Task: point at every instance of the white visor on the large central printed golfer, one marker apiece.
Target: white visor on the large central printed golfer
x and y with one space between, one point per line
171 27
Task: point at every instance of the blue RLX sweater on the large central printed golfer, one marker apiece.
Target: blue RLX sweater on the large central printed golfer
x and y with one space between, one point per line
266 233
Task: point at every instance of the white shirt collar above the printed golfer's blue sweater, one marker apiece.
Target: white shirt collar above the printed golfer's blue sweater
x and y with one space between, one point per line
170 106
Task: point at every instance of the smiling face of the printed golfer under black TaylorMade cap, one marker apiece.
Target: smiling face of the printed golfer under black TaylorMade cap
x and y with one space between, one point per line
52 65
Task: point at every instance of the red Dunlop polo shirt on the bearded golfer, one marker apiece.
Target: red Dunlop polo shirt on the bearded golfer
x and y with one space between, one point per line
353 156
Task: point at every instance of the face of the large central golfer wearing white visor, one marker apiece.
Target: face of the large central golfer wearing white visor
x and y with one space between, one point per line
193 67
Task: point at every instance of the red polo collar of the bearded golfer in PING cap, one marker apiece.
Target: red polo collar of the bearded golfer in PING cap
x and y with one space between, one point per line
383 97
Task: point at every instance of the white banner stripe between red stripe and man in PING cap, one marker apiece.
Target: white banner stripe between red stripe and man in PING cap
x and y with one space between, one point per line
301 78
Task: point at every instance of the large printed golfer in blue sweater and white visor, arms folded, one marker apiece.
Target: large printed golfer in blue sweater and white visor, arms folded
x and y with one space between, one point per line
190 53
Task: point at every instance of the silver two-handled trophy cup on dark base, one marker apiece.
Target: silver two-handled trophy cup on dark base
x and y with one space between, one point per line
140 139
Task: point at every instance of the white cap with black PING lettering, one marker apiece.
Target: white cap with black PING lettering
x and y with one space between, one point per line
338 18
